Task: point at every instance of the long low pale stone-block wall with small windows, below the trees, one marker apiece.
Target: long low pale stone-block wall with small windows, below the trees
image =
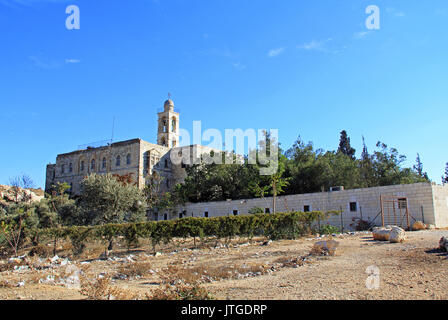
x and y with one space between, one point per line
419 195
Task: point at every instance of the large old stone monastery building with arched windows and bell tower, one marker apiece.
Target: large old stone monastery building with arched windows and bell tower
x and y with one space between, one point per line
136 157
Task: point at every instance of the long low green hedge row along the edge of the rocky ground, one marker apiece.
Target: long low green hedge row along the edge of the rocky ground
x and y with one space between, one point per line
274 226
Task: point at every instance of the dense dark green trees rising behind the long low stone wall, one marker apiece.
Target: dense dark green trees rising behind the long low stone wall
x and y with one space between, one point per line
302 169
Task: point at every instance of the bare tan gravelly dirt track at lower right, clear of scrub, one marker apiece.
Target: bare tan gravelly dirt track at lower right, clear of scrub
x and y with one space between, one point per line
411 270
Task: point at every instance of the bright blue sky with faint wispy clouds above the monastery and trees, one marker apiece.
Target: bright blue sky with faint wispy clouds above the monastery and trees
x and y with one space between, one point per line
308 68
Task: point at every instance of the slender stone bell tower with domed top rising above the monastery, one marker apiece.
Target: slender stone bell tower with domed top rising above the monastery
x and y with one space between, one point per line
168 126
